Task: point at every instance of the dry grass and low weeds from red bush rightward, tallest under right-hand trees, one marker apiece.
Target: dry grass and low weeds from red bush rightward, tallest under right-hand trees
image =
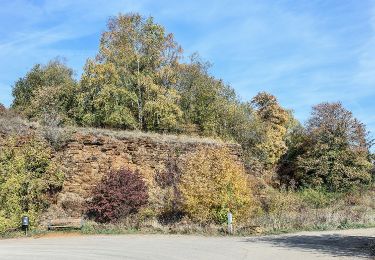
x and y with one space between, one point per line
287 215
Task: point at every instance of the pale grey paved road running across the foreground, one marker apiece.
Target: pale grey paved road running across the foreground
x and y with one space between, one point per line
349 244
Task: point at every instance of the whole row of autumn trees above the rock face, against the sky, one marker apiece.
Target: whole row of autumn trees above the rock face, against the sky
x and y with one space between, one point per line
140 80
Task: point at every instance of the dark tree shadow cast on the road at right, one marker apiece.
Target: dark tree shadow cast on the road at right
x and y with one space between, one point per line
336 245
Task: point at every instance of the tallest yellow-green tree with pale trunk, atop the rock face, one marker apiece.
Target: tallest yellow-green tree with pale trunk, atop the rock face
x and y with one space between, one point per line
130 82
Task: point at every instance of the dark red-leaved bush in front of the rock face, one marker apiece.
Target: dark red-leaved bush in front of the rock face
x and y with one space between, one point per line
119 194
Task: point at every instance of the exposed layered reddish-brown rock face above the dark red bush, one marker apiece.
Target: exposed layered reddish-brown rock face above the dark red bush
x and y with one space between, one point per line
89 155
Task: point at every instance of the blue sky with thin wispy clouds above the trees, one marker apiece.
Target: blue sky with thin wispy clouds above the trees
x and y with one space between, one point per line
304 52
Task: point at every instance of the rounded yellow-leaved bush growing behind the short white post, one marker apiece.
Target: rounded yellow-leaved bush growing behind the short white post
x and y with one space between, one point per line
212 184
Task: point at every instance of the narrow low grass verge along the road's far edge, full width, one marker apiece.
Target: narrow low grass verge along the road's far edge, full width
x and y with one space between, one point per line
92 228
